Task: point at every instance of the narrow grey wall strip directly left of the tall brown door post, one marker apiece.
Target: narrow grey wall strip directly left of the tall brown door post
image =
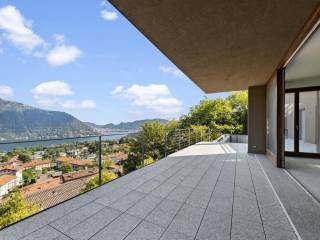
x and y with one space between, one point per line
271 117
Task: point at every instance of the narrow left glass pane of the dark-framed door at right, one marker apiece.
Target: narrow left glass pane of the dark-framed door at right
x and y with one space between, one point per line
289 122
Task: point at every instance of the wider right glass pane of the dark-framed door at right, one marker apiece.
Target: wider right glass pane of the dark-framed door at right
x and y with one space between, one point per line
309 122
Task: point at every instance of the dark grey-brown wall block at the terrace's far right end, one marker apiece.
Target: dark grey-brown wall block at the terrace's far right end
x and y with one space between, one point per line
257 120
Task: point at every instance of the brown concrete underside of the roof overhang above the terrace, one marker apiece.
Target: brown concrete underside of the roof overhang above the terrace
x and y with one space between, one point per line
221 45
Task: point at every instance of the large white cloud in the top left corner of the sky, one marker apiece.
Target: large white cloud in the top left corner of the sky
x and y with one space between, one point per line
18 30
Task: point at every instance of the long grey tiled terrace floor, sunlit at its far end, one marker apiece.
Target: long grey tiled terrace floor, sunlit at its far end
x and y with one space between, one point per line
206 191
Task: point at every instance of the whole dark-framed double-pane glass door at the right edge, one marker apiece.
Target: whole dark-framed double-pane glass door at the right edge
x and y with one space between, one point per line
302 122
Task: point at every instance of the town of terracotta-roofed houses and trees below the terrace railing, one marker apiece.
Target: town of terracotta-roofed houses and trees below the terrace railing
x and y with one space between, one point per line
57 172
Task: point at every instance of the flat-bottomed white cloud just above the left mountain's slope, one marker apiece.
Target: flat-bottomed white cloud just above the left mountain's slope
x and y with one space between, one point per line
52 88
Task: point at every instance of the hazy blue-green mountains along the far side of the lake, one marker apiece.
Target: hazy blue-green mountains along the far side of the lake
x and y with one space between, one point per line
22 122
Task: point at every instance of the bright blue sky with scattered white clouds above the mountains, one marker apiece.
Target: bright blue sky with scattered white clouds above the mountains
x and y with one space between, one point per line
84 58
